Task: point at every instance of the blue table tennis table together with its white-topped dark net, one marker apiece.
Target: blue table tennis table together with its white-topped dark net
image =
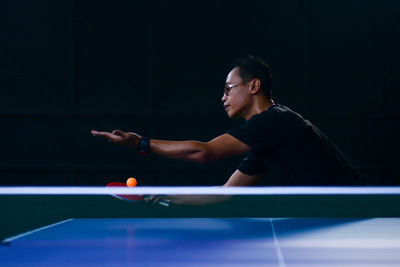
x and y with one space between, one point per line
271 226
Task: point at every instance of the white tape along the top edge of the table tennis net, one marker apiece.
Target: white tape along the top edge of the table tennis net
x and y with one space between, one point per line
203 190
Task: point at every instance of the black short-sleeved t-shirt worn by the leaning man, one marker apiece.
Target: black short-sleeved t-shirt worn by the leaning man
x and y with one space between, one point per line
291 151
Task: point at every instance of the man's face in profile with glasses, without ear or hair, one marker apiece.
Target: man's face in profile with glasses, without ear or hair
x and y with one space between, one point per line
236 96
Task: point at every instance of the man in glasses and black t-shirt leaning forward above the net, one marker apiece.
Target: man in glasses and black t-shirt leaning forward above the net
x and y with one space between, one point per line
277 140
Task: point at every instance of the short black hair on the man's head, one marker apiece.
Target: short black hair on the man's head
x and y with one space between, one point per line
252 67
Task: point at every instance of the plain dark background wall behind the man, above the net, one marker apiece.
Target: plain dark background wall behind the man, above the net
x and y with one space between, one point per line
158 68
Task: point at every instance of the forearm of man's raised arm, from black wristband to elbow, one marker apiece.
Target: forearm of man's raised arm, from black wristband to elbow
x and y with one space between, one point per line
183 150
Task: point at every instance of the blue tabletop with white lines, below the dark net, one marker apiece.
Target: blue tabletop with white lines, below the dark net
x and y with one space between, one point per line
209 242
